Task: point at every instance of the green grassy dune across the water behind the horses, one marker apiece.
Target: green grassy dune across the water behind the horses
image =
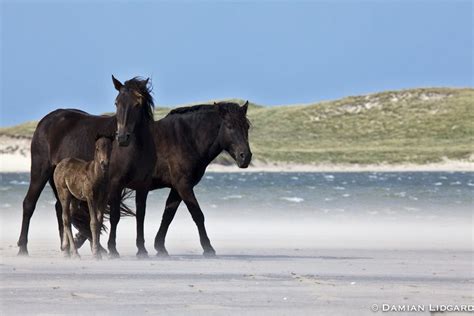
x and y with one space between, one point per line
416 126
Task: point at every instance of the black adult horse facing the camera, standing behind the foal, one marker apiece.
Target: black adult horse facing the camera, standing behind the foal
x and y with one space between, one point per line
71 133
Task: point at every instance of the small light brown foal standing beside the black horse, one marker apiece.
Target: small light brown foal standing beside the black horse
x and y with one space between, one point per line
76 179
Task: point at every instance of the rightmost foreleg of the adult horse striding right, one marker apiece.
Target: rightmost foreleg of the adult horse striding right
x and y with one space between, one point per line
187 194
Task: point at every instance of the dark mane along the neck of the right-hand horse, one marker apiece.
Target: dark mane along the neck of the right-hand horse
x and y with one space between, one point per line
225 107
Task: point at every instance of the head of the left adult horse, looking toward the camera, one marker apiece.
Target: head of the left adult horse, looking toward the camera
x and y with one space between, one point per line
134 105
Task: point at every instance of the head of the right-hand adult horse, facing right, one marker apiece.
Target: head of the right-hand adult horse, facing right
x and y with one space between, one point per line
234 132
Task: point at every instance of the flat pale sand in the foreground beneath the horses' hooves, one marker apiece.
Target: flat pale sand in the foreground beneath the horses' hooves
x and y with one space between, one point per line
252 282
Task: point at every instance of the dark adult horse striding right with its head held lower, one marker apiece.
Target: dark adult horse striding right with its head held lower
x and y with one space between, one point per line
187 140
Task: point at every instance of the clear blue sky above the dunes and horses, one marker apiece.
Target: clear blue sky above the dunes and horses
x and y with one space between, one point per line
58 54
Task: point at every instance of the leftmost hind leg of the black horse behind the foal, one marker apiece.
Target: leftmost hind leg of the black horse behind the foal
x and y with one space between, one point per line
39 177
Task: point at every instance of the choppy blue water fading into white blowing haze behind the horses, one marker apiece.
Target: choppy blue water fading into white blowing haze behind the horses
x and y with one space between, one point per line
358 209
